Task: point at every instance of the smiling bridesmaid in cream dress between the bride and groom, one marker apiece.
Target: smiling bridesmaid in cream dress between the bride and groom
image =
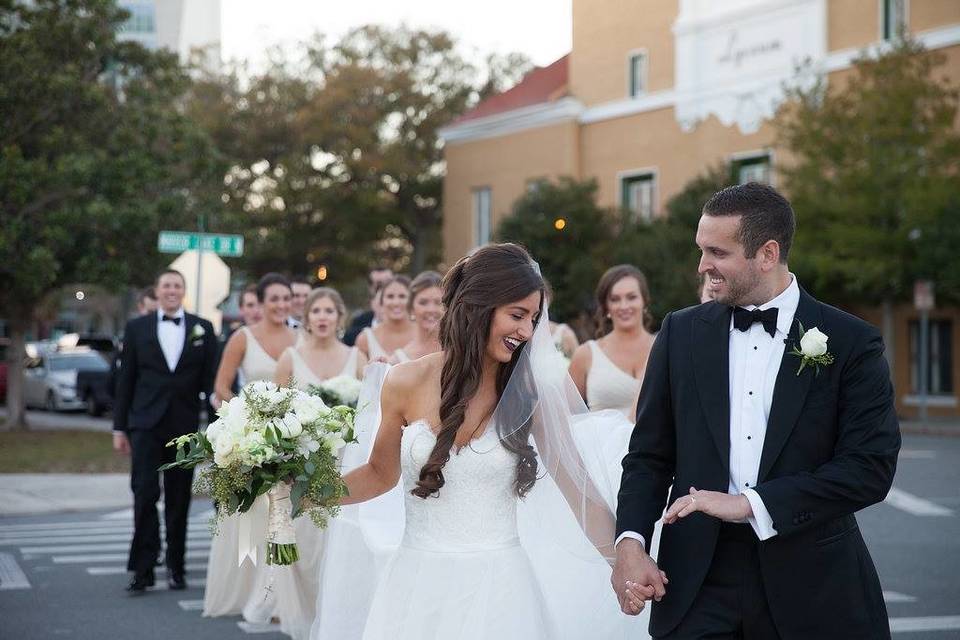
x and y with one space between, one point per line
609 371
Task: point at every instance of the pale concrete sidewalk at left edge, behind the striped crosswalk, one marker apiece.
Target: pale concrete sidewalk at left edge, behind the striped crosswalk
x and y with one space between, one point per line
38 493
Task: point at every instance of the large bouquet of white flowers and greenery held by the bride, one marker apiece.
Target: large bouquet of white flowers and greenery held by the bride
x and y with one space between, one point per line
276 441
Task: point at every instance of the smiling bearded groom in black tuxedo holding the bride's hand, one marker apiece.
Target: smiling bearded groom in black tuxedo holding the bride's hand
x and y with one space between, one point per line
767 446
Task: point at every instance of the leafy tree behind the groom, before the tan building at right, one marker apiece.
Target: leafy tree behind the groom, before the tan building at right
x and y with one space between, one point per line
871 173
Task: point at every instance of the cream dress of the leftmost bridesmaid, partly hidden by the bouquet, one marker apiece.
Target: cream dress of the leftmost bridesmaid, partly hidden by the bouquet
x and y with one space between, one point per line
230 587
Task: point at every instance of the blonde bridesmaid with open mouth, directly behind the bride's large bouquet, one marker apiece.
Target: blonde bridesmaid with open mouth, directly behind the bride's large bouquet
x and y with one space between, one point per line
320 356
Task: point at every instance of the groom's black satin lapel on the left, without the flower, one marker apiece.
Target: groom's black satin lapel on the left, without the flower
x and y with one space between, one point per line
711 353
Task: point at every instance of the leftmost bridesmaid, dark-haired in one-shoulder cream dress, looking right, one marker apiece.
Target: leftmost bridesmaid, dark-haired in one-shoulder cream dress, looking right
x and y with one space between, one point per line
252 352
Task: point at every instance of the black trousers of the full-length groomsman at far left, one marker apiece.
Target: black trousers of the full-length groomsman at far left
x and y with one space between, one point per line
148 452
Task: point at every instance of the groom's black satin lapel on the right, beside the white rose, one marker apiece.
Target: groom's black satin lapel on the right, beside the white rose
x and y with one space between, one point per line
790 390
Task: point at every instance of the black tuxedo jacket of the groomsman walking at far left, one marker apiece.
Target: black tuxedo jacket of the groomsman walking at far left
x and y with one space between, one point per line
149 395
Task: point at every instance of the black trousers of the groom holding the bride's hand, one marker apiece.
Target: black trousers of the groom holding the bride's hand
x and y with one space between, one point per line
731 603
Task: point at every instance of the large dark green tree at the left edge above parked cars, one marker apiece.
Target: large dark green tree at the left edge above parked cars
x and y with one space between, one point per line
94 153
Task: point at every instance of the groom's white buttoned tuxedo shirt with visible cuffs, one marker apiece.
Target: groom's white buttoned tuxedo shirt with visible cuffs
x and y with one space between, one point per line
751 397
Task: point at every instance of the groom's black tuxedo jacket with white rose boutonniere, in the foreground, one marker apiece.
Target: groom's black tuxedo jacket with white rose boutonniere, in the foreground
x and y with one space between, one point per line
831 449
